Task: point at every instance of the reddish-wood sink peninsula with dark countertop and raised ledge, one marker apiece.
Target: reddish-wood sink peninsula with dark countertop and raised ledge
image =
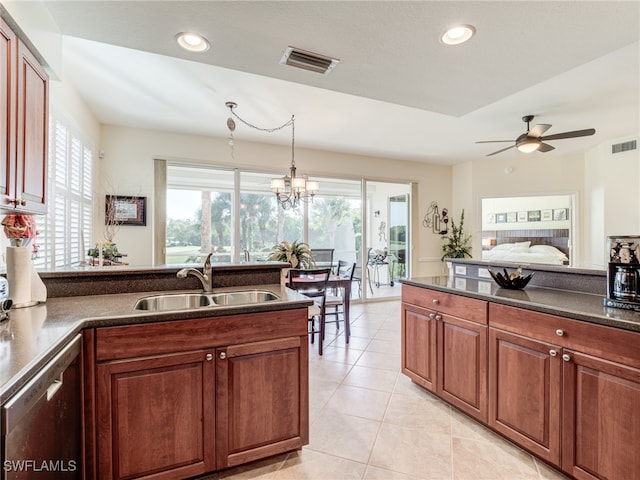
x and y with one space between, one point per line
200 381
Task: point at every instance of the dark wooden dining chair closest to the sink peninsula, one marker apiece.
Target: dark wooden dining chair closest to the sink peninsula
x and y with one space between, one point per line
313 284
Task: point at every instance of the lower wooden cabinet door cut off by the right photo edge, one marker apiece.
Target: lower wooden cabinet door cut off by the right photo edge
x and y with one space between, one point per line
601 426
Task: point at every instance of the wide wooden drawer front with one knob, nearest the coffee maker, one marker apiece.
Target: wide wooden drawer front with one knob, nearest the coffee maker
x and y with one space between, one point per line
605 342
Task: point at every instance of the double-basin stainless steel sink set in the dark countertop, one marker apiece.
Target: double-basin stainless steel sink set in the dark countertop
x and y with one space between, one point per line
188 301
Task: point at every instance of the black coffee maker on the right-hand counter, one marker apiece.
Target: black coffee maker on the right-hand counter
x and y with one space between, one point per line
623 274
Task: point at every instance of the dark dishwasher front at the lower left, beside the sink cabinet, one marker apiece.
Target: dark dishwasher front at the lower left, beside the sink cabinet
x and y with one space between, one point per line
41 423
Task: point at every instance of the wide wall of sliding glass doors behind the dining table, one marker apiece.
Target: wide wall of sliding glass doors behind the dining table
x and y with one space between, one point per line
234 215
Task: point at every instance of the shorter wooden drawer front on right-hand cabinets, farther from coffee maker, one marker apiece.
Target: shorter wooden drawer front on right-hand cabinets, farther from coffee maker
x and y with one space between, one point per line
456 305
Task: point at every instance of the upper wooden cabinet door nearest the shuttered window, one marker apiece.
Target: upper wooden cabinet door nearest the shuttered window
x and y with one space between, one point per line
33 126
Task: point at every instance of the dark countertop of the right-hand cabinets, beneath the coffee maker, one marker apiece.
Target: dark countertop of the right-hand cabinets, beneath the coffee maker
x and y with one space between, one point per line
579 306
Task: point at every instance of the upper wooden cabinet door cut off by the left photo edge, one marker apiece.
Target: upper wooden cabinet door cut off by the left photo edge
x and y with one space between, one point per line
8 50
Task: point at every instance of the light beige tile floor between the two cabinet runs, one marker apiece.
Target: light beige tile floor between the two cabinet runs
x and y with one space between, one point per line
370 422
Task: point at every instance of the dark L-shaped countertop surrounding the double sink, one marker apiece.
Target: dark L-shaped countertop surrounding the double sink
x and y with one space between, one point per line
33 335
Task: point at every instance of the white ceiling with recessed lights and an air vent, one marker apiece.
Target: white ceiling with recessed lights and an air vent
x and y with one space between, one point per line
397 91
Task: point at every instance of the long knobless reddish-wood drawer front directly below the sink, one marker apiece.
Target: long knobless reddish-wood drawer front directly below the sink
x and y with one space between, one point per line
186 335
